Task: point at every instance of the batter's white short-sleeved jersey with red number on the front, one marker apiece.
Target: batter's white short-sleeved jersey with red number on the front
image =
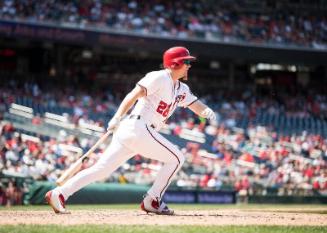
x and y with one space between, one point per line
162 98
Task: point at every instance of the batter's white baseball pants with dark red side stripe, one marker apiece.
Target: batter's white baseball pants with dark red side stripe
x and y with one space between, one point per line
132 137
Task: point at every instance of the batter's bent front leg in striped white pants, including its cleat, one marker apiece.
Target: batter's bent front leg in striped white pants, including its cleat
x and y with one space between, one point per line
155 146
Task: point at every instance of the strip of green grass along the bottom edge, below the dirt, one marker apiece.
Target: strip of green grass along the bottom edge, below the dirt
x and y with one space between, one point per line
148 229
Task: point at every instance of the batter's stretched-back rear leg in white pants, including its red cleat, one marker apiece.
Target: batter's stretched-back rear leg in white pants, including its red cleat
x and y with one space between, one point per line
113 157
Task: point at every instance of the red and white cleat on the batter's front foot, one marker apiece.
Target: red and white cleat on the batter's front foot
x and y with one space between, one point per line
150 205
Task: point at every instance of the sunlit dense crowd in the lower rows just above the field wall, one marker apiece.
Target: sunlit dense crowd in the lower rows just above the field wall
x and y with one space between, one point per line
251 162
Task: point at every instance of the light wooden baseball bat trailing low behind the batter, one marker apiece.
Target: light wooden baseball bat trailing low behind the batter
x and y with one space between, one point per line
76 166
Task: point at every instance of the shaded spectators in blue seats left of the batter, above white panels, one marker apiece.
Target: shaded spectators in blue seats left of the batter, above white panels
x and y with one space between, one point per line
77 105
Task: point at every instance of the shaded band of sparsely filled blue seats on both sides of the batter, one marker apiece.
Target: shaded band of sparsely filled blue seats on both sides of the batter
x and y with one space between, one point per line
283 110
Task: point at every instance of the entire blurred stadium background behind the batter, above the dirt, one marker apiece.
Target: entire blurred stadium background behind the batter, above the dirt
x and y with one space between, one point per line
262 66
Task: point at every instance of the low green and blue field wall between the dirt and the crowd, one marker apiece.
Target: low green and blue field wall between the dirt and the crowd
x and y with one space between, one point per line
104 193
